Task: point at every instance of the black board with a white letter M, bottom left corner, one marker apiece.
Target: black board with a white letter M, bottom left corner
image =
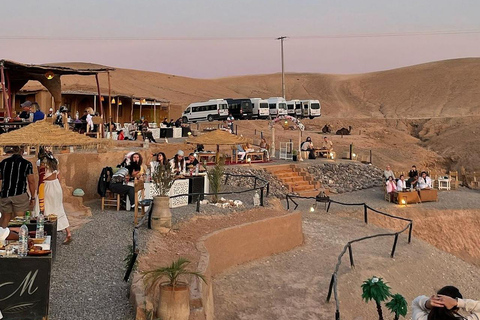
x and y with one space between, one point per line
25 287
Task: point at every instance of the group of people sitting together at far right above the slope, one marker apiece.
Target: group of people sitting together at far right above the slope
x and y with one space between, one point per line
413 182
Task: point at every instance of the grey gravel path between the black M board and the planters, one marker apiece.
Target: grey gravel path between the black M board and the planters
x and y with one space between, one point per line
87 276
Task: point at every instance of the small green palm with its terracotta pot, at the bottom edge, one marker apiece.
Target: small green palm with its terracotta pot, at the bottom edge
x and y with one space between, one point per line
175 292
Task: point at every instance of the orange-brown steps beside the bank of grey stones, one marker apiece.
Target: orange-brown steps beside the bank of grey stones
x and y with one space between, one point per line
296 179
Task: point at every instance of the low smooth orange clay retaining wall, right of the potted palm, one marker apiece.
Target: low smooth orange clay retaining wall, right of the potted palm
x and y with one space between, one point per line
236 245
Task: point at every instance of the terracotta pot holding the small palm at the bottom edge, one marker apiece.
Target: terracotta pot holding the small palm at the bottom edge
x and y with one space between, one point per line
174 303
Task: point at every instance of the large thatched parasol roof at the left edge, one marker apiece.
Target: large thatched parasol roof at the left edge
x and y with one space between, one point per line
42 133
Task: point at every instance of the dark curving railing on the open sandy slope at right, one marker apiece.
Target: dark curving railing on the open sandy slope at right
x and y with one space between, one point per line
334 280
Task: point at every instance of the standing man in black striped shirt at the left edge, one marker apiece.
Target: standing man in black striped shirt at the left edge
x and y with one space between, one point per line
14 173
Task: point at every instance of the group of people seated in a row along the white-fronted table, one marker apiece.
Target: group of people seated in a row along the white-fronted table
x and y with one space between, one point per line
132 167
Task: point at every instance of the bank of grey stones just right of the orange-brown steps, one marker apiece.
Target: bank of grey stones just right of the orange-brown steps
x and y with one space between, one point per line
346 177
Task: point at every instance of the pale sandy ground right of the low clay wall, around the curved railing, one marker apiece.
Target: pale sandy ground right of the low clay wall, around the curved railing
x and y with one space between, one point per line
294 285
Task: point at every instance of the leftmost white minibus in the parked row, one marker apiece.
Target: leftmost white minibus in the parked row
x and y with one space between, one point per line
215 109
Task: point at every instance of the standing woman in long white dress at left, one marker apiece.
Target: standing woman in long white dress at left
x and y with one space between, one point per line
54 194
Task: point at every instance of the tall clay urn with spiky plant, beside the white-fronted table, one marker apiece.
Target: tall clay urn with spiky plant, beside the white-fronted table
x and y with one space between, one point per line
162 181
